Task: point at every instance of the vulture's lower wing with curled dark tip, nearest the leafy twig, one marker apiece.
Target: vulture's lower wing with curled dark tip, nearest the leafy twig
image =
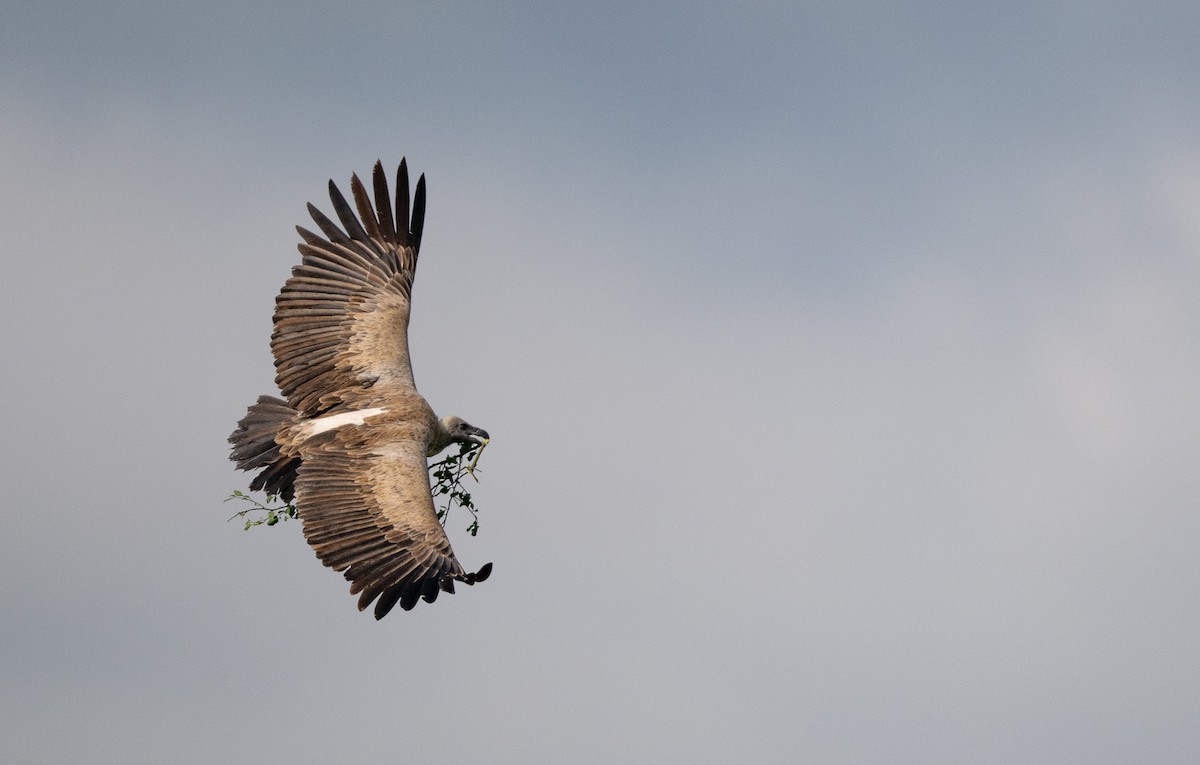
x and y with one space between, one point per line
368 513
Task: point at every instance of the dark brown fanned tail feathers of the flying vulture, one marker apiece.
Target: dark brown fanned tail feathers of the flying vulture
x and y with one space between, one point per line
255 448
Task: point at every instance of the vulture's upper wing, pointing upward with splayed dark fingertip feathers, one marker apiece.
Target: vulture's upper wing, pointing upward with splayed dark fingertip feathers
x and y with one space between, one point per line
341 321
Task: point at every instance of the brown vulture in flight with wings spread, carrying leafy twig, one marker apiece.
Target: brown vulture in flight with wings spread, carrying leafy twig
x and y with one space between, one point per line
349 442
